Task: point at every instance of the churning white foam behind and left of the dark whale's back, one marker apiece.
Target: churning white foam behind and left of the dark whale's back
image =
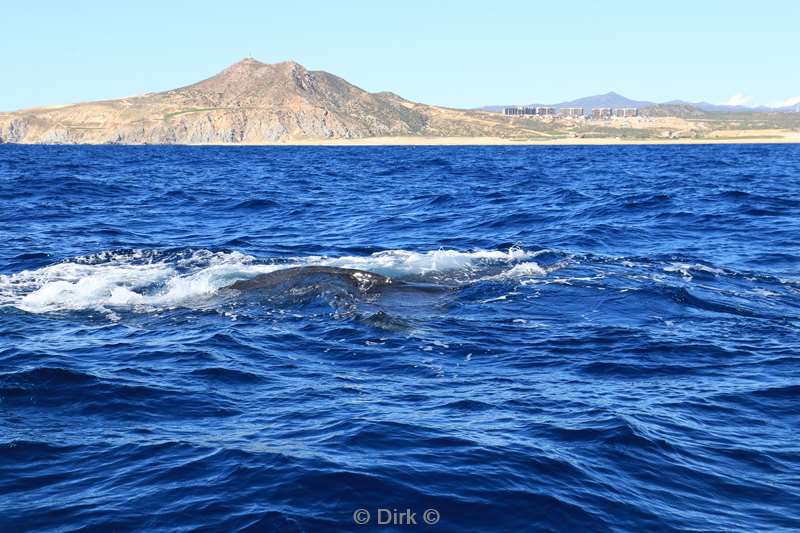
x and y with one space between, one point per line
145 281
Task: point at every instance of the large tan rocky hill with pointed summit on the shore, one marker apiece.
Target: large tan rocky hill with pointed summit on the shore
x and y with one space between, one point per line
251 103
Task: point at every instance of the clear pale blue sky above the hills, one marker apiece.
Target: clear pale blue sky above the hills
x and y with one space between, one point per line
455 53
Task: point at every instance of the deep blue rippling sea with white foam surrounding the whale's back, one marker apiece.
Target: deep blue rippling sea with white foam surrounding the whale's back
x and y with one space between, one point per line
594 339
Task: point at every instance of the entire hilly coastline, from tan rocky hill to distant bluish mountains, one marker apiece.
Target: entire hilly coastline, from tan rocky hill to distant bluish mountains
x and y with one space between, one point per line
259 103
